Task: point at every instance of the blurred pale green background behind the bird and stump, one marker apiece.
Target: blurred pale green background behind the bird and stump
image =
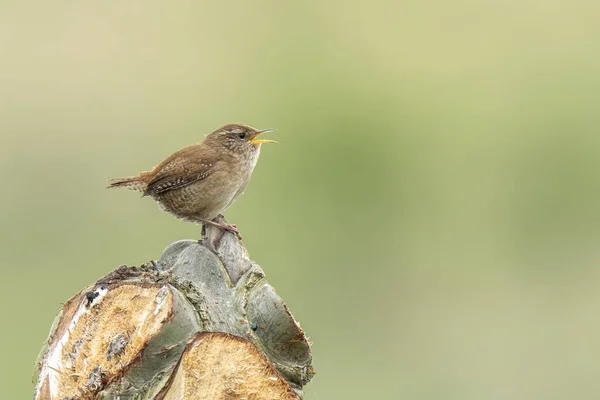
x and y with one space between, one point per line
431 215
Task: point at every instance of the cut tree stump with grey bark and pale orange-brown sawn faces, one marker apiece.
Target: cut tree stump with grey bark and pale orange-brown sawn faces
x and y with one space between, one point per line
200 323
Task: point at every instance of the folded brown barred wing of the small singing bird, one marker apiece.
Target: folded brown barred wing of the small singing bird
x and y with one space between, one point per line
182 168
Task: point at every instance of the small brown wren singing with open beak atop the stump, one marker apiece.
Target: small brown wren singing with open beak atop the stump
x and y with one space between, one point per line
199 181
